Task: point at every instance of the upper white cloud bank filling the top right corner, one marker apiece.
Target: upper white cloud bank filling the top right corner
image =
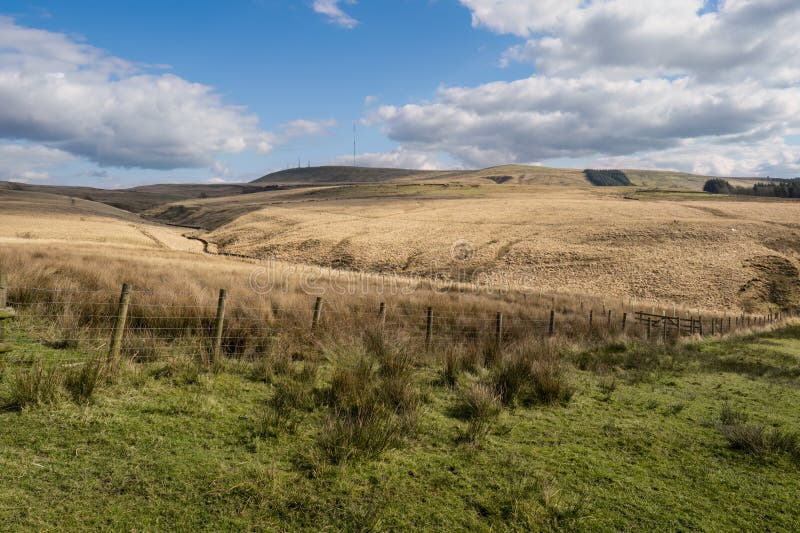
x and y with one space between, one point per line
631 38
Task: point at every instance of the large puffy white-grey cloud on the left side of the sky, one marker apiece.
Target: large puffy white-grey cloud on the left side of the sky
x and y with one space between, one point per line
75 98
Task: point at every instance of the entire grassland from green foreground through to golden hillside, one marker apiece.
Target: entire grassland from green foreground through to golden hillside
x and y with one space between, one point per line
355 426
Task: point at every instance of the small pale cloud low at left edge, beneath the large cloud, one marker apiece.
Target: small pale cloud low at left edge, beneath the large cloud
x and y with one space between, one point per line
24 162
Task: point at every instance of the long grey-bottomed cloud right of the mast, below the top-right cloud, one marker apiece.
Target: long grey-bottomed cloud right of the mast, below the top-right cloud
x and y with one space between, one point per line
543 118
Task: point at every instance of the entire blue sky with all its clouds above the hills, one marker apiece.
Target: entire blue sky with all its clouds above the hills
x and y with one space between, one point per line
125 93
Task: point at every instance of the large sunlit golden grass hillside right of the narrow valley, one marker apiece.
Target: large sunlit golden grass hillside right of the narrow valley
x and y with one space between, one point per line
693 250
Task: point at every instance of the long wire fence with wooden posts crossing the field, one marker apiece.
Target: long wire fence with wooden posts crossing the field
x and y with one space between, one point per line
73 325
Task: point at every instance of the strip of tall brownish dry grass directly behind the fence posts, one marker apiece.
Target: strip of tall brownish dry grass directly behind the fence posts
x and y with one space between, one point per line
67 295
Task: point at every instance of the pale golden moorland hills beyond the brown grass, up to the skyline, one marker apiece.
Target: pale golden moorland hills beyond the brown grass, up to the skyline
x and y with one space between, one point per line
522 227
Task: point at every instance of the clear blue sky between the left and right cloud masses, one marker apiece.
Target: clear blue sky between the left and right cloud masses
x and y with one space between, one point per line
283 62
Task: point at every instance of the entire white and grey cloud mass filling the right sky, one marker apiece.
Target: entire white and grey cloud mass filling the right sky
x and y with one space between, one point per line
671 82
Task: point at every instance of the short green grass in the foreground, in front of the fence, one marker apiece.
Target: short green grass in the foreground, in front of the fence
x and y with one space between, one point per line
637 447
